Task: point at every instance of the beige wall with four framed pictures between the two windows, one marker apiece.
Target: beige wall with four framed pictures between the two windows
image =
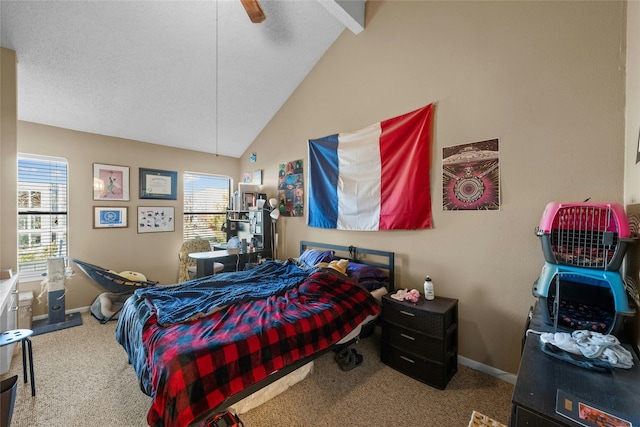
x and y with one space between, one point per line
155 254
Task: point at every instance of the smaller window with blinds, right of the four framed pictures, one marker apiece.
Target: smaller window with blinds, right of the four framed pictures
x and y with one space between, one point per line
206 198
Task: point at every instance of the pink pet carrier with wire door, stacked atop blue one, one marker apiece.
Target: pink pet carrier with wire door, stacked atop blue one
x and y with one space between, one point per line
587 235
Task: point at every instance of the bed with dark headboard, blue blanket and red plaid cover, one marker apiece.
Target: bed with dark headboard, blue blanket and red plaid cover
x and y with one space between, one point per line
199 346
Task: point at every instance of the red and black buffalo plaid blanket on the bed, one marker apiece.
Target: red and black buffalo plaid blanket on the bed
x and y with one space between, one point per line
195 366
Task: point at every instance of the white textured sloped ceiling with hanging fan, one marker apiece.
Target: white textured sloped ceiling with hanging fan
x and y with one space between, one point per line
146 70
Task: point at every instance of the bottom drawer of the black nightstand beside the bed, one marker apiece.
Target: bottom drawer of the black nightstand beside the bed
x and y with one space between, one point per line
429 372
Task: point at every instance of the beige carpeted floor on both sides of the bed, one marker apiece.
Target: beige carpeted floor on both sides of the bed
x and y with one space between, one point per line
83 379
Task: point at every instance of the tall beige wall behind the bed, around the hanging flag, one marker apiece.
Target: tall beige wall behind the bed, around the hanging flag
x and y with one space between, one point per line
547 78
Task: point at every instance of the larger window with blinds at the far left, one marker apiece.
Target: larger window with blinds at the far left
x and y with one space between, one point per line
42 211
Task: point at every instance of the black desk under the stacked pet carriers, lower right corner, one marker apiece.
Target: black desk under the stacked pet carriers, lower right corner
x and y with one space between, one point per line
541 376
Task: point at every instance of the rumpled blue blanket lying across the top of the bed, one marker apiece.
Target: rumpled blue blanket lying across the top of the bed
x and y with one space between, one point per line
198 297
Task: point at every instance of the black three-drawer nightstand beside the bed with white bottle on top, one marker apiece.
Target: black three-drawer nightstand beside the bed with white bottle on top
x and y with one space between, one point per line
421 340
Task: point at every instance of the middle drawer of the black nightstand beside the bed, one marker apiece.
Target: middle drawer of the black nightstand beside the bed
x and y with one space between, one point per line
423 345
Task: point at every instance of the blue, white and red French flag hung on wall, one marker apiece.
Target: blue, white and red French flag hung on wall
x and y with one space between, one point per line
376 178
